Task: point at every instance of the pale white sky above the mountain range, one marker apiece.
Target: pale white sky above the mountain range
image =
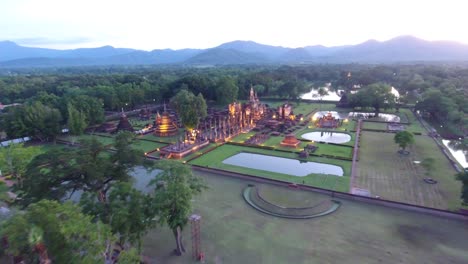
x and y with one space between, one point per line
177 24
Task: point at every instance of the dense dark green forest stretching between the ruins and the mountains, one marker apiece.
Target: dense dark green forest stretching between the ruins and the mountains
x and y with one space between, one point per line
48 96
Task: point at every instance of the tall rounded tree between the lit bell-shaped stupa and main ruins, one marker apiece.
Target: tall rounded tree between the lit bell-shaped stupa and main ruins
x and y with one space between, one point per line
190 108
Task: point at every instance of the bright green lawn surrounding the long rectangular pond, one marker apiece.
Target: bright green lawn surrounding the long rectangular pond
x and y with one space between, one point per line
214 159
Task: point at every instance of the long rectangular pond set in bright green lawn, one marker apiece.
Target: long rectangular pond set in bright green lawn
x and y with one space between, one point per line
282 165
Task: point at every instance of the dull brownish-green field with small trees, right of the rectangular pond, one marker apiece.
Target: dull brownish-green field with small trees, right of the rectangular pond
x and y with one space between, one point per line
396 177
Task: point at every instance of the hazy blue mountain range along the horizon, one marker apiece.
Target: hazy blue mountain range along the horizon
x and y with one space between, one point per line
399 49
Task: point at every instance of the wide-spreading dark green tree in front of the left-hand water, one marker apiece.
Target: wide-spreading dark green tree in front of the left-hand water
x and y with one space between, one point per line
57 174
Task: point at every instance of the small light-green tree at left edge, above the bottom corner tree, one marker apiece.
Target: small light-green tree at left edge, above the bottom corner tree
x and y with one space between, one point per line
14 159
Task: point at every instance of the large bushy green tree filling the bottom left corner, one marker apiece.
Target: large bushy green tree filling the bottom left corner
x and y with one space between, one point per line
56 232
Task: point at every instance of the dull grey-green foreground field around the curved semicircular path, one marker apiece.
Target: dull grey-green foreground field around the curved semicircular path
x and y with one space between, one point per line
233 232
